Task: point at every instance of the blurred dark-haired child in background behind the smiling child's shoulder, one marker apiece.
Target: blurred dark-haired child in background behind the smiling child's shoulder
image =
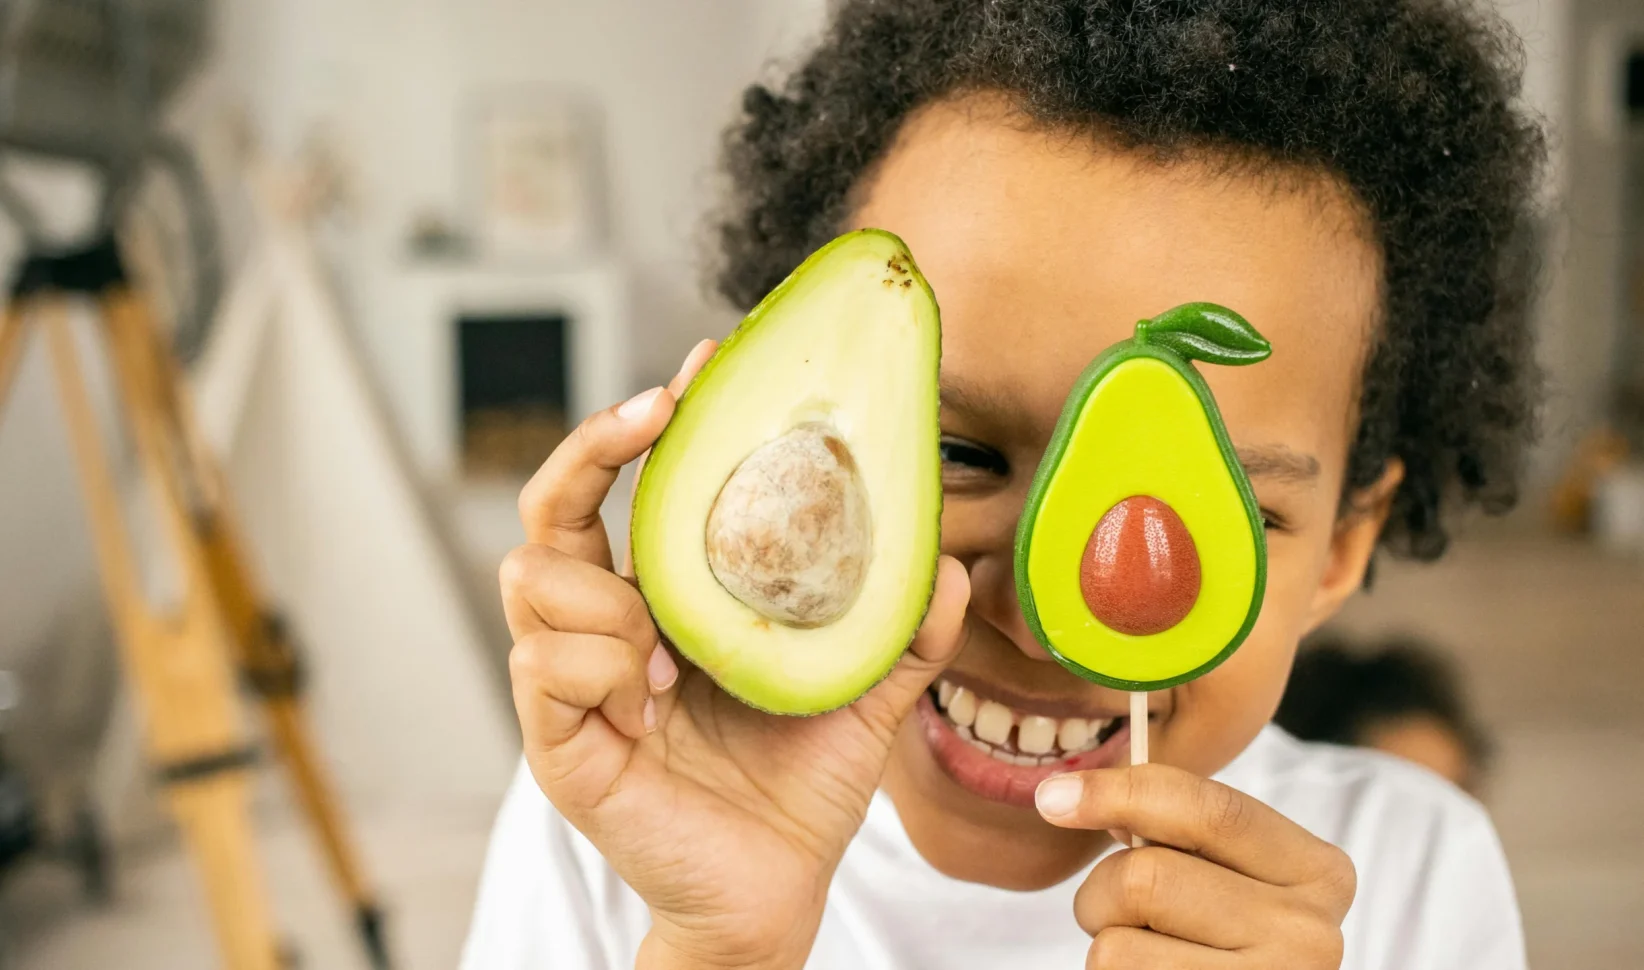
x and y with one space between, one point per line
1395 696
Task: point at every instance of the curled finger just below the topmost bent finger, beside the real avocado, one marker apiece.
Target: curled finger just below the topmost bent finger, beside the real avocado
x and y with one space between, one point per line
547 589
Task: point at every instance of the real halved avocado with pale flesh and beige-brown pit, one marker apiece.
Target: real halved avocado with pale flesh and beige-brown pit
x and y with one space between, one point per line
787 524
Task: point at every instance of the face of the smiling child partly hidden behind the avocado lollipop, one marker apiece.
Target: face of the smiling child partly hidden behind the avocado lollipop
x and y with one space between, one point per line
1043 251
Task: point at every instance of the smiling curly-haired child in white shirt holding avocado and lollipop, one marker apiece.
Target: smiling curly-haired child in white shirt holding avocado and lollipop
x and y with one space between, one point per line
1354 178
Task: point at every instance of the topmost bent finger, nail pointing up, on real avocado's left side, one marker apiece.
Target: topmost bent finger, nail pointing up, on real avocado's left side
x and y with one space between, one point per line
560 506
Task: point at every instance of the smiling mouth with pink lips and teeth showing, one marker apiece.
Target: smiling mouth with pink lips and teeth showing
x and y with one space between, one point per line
1002 752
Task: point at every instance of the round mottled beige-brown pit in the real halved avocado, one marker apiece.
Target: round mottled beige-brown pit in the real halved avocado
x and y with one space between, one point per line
790 533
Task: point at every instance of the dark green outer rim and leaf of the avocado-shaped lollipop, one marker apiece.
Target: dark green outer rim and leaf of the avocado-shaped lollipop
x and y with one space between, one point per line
1140 348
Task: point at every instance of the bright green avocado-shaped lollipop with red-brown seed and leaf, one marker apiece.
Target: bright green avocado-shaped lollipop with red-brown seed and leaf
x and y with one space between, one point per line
1140 557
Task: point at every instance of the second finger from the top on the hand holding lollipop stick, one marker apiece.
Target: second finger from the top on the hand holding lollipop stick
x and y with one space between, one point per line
1178 895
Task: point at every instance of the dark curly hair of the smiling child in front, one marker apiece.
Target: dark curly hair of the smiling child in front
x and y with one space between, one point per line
1410 103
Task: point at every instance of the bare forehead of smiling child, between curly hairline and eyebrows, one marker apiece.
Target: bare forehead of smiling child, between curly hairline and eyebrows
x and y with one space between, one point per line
1046 247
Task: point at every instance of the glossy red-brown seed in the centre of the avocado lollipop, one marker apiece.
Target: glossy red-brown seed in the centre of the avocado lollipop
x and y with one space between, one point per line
1140 573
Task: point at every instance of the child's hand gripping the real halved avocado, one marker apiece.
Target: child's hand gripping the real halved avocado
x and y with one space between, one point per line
726 821
